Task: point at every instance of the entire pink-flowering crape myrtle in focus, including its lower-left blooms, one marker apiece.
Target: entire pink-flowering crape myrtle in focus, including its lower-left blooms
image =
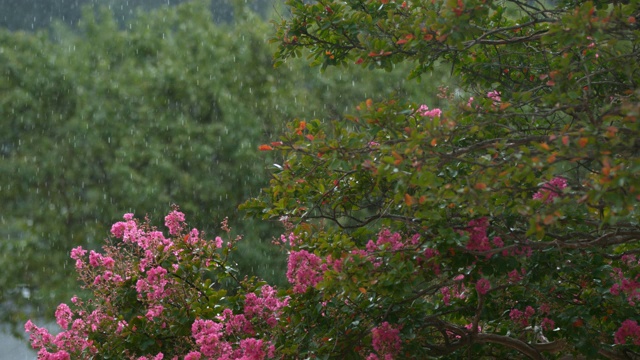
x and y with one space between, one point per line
501 223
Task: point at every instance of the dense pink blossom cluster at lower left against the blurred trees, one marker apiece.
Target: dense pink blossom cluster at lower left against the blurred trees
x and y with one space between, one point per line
155 271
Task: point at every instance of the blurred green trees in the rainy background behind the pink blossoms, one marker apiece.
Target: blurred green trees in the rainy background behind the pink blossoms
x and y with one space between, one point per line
102 119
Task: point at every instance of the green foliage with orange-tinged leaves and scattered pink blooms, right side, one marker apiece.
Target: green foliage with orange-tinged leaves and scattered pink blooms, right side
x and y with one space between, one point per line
523 196
